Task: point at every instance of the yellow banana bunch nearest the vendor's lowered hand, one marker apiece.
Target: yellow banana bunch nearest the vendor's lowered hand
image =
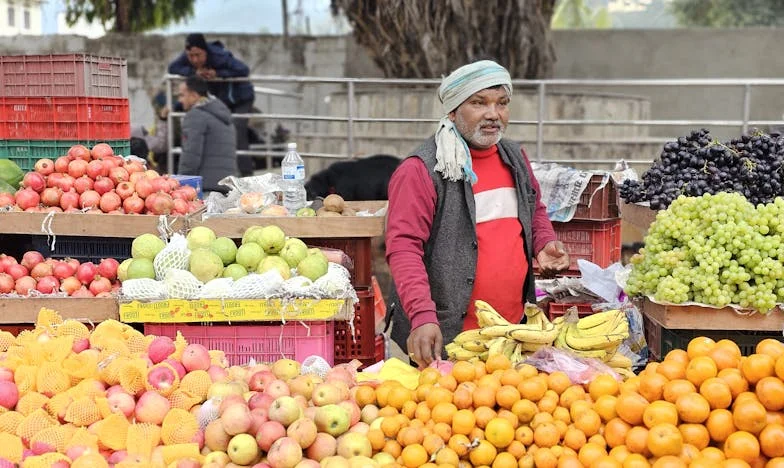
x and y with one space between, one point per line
497 336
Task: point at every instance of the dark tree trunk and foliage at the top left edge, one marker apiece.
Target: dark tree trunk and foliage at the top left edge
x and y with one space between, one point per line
129 16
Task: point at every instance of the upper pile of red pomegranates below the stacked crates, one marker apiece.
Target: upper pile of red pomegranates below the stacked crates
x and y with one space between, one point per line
99 181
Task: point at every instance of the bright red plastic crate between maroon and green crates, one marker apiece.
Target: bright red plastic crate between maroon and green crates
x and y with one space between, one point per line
64 118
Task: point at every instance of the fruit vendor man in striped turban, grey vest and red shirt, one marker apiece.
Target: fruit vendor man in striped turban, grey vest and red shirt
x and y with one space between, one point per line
465 220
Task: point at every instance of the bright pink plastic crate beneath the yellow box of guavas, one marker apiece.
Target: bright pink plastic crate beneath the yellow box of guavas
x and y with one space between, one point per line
264 343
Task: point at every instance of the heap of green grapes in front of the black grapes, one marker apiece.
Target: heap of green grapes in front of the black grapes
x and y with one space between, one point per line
713 249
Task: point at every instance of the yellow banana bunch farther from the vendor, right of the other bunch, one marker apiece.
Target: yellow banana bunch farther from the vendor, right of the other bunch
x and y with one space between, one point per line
597 336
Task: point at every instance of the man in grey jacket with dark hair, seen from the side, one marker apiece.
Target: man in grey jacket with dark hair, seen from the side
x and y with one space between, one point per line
208 136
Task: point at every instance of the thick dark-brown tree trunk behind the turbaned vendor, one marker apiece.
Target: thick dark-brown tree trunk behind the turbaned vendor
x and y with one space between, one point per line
430 38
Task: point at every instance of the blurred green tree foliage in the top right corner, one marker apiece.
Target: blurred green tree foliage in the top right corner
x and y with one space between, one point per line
728 13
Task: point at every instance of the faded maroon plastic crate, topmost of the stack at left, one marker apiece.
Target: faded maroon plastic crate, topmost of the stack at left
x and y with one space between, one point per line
63 75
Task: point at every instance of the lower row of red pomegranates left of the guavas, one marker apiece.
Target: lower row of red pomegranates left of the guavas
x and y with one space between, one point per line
51 276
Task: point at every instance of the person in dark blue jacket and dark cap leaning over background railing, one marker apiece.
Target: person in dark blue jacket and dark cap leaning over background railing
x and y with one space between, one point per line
212 60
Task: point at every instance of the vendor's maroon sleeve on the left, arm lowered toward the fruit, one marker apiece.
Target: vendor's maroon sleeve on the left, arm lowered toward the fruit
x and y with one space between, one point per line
412 205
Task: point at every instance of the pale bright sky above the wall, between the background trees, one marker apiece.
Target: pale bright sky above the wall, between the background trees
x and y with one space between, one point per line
223 16
